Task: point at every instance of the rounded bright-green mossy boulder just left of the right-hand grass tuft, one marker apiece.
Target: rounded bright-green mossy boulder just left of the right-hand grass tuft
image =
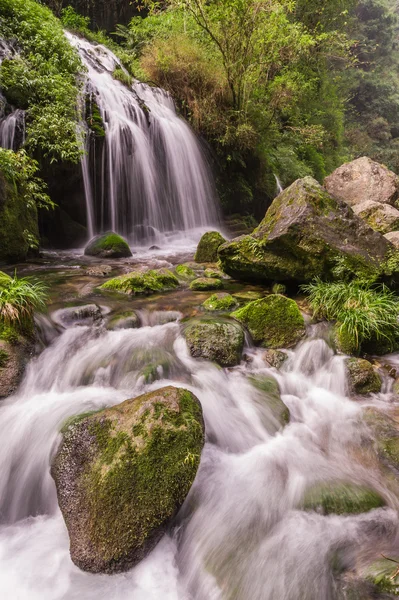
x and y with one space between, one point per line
273 322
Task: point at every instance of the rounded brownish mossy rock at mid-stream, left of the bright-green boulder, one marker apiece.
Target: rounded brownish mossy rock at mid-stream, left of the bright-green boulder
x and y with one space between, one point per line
221 341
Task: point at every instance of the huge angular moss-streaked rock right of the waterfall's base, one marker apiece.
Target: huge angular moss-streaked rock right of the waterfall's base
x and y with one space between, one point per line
304 234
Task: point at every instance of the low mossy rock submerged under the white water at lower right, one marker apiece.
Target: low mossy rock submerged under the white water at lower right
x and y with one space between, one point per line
341 498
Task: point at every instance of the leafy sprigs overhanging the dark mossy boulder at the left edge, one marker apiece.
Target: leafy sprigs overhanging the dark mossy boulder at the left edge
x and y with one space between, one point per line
21 171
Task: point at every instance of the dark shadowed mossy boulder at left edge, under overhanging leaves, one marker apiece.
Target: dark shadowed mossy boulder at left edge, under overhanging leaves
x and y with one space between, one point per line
19 229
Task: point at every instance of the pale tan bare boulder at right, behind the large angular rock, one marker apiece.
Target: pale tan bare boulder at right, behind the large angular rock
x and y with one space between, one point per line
361 180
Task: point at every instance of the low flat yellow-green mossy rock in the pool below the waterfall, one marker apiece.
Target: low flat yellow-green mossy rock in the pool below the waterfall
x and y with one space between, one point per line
148 282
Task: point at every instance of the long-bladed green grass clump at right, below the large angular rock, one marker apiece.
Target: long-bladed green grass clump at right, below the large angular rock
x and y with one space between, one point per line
363 311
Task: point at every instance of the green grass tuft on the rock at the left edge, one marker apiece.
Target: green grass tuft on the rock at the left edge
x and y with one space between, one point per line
20 297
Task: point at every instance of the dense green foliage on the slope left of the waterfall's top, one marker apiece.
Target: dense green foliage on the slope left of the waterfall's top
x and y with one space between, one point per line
42 78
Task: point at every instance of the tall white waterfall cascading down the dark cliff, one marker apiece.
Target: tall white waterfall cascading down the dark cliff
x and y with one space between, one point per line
151 177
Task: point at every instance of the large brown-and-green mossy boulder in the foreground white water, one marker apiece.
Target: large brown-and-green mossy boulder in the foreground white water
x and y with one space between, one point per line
122 474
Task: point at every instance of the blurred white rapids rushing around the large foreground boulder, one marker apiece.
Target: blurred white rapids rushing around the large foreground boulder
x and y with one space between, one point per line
240 534
